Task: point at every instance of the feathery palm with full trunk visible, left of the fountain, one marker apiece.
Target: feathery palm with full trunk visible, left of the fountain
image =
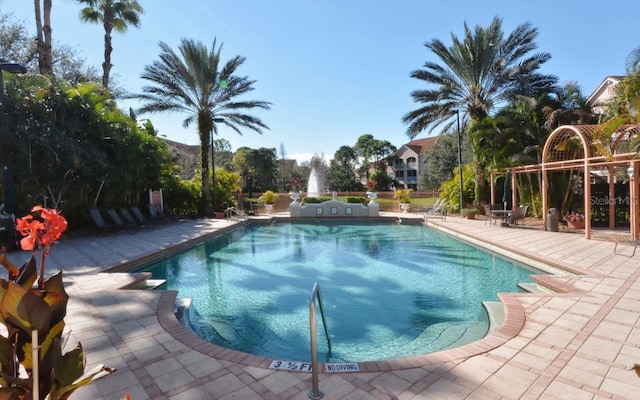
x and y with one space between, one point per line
195 82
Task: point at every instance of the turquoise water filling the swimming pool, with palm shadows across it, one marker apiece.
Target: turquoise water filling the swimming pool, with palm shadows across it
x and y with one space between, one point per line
389 290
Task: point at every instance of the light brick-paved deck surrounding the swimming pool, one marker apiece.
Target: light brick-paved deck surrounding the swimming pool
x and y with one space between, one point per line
574 344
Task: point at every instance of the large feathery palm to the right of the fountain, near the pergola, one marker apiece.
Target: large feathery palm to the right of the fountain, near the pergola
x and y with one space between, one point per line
475 76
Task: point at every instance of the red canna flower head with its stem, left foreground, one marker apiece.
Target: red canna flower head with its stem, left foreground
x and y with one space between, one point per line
42 228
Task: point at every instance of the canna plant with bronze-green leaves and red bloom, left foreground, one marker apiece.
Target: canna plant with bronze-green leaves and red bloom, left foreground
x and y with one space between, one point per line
38 312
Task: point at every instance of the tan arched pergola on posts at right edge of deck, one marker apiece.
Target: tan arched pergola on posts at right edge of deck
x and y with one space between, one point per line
572 147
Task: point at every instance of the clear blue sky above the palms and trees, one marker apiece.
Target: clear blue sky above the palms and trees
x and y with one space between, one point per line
337 69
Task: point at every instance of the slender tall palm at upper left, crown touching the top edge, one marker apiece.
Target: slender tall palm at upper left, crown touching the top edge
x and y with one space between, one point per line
114 14
